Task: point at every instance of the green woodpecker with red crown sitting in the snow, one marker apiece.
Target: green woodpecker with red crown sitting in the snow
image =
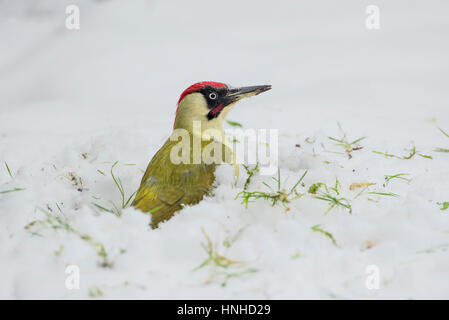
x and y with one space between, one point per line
169 184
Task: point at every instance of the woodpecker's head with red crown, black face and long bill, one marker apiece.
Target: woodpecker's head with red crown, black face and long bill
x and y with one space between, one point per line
210 102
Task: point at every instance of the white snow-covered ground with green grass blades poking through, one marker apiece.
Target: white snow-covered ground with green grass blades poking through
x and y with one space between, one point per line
72 103
